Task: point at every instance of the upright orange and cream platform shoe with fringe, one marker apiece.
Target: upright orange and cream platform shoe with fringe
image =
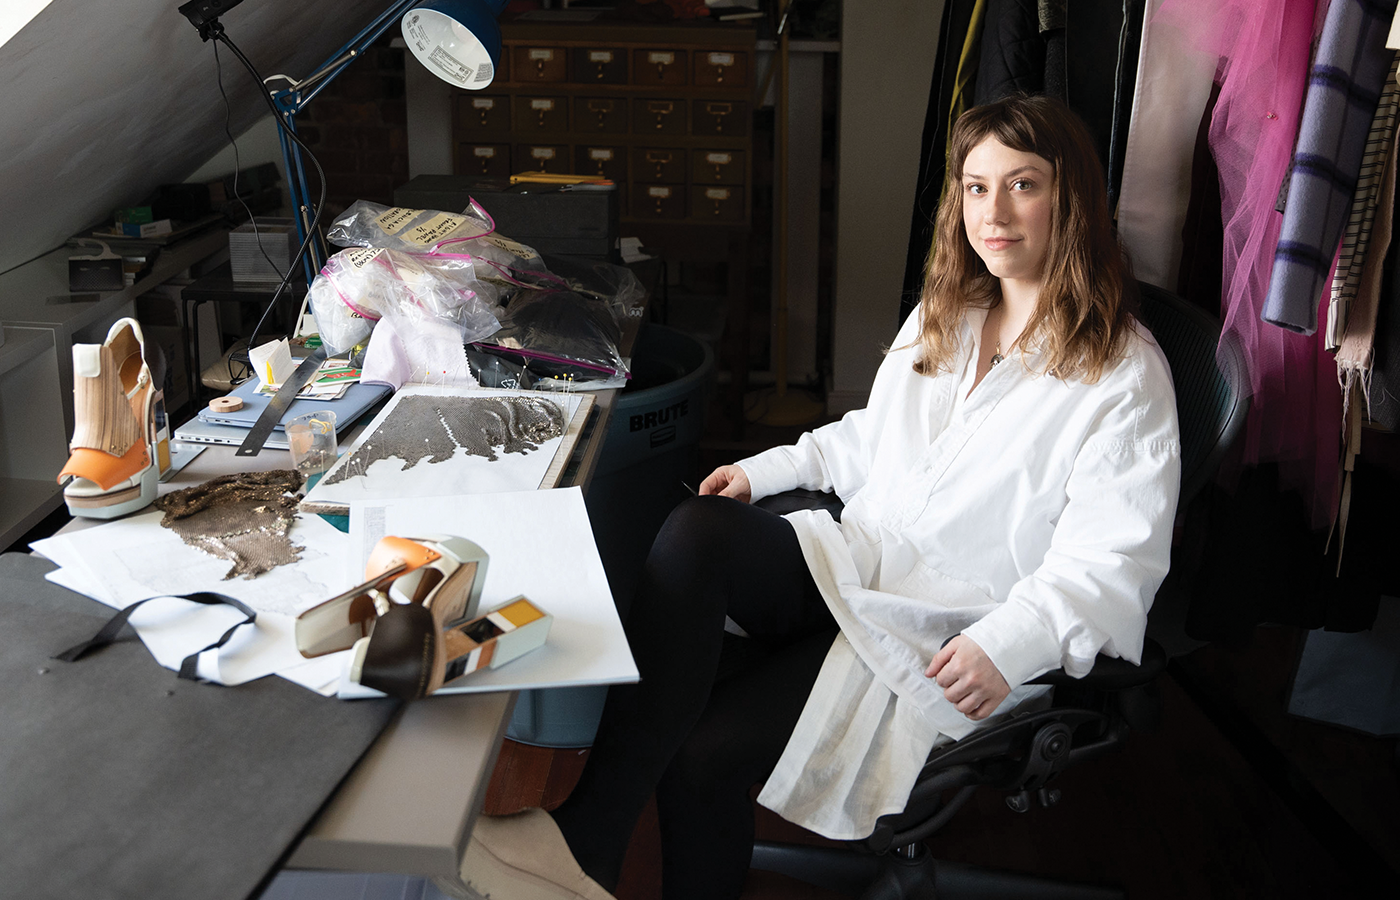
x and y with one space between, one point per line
120 443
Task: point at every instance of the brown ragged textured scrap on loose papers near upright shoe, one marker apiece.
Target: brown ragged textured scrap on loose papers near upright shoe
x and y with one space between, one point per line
243 519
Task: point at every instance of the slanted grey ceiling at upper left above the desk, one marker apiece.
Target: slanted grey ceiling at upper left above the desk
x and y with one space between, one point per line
101 103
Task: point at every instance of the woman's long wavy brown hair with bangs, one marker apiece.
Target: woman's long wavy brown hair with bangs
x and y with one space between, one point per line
1086 306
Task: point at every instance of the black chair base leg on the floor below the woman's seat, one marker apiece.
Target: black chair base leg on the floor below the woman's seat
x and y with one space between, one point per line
918 877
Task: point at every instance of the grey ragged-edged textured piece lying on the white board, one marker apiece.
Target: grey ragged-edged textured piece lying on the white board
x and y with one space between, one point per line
435 428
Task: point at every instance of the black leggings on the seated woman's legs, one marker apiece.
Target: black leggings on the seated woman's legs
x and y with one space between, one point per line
712 713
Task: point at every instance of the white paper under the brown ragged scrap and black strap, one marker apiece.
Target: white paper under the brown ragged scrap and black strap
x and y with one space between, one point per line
124 562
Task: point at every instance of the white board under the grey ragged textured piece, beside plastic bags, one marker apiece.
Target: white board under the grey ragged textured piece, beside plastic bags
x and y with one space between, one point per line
388 481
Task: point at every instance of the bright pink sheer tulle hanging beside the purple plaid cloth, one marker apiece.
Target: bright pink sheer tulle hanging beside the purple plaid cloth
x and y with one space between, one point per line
1296 408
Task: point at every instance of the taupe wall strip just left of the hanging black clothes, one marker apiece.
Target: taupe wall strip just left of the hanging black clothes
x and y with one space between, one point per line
888 50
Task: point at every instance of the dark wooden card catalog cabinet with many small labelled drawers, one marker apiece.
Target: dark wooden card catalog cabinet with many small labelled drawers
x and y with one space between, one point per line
664 111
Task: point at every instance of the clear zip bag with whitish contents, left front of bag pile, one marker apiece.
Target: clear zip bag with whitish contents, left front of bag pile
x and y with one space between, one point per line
358 288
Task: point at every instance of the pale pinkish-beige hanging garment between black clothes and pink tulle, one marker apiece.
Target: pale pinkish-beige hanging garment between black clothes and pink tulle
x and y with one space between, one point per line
1174 83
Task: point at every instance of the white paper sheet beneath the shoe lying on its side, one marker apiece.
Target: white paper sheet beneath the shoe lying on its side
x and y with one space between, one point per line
540 545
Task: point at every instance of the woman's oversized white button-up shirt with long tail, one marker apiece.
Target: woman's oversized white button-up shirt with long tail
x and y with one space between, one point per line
1032 516
